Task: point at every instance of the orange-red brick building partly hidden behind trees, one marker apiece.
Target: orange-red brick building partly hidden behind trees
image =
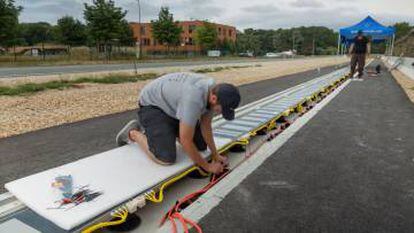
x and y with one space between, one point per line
187 38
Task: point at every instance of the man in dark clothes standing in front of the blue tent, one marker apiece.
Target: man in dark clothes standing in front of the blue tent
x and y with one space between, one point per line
358 51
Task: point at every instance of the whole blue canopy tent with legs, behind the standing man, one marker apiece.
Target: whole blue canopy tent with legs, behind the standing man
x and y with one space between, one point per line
371 28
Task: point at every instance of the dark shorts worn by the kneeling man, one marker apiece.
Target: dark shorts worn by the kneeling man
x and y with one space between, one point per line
162 131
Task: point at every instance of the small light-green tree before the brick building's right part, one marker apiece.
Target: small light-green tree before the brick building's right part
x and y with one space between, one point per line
206 36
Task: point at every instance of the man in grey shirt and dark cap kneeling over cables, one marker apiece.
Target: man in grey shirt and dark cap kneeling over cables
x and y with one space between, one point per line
181 105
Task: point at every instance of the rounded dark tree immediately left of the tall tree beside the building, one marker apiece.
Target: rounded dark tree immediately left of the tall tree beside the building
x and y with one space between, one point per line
70 31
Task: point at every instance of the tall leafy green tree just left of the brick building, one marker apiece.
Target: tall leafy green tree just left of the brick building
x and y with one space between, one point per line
105 22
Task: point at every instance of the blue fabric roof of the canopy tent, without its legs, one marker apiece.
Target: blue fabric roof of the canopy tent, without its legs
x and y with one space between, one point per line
369 27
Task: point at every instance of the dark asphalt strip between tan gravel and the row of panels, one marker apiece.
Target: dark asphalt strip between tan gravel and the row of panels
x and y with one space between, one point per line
33 152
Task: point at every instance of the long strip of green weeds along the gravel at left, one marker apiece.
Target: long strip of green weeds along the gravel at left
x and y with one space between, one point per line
30 88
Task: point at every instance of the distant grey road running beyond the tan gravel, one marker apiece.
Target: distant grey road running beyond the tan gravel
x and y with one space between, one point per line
68 69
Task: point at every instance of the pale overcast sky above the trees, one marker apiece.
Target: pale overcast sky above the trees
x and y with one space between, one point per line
266 14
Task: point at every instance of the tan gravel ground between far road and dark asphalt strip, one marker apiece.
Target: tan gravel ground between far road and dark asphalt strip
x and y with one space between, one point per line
20 114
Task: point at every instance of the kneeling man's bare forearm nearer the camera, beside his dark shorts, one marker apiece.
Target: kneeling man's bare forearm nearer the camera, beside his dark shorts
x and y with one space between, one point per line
186 140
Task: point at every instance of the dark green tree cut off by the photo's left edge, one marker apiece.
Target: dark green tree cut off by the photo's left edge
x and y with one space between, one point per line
9 20
